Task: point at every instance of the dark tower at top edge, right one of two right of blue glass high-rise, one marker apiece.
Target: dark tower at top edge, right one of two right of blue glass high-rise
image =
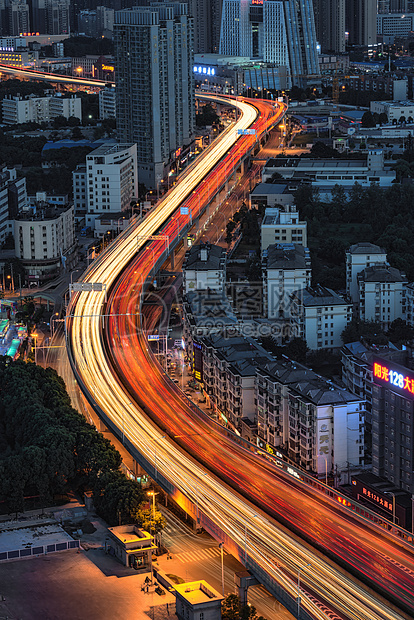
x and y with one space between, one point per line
361 22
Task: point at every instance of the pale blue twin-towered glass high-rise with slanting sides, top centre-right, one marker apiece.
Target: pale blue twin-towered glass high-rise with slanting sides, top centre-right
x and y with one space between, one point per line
280 32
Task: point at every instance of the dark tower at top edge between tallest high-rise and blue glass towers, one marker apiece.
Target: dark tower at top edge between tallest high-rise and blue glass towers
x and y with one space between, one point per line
207 20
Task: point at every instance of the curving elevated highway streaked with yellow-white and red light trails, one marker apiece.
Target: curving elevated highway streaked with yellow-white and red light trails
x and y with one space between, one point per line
233 492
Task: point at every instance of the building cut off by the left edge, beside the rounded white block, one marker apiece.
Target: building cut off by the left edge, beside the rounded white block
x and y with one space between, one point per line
13 198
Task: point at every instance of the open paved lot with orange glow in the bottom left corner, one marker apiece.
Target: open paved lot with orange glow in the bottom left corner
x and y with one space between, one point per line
75 586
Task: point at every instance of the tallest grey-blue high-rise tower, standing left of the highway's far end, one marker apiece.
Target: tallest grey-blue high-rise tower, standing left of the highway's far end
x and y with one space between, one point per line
154 84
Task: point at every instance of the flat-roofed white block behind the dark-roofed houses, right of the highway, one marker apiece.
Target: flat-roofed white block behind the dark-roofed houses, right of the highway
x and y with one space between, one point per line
279 226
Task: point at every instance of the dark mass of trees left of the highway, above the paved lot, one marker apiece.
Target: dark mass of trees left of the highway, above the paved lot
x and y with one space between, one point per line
48 448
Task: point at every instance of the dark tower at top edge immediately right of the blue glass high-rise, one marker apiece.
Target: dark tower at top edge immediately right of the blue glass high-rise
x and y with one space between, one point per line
330 24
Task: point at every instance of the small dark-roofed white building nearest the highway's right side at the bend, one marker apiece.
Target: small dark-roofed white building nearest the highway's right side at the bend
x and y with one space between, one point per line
204 268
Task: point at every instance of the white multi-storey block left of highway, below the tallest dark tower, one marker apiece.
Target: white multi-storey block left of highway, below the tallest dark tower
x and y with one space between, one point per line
108 183
